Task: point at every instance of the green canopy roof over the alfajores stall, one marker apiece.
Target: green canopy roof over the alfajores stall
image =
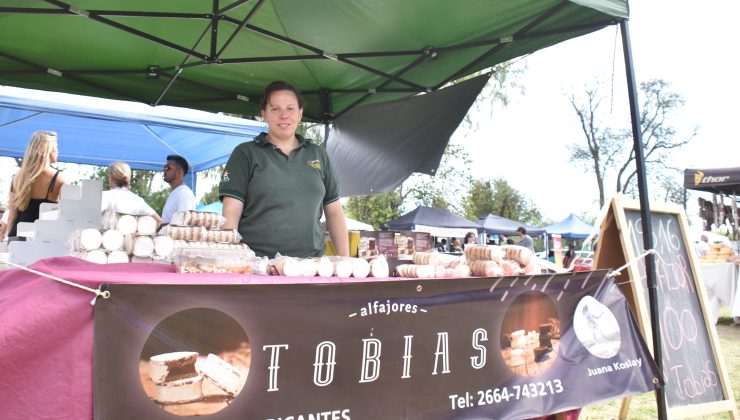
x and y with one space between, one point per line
339 53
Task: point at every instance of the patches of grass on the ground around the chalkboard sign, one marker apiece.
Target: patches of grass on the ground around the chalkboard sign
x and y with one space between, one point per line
644 406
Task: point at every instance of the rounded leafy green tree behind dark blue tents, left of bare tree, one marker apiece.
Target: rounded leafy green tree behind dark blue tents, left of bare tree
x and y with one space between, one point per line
501 199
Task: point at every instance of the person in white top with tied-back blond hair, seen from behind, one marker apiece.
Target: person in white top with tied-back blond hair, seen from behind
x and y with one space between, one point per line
119 199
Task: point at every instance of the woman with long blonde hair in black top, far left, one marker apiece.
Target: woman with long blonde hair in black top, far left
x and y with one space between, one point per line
35 183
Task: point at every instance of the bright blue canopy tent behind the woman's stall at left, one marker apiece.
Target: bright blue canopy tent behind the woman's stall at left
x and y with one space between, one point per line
100 131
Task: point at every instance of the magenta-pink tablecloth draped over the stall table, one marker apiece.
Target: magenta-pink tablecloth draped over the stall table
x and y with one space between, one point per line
46 330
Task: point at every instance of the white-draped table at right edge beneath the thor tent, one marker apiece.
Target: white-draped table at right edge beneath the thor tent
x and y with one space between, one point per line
721 284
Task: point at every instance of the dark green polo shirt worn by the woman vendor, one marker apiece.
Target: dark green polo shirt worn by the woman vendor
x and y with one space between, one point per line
283 196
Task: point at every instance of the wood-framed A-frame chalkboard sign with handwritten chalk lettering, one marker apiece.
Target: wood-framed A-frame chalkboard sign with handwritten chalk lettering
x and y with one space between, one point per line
696 381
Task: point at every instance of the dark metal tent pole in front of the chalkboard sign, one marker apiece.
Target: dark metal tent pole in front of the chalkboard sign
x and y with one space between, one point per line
647 234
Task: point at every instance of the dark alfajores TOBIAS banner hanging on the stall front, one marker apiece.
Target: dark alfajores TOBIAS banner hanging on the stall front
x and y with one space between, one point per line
511 347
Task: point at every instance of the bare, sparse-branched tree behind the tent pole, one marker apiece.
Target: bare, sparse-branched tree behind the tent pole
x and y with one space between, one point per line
605 148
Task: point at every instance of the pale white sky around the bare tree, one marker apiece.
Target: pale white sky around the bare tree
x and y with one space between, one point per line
688 44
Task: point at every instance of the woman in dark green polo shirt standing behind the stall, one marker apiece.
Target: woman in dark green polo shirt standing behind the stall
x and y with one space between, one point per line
275 188
